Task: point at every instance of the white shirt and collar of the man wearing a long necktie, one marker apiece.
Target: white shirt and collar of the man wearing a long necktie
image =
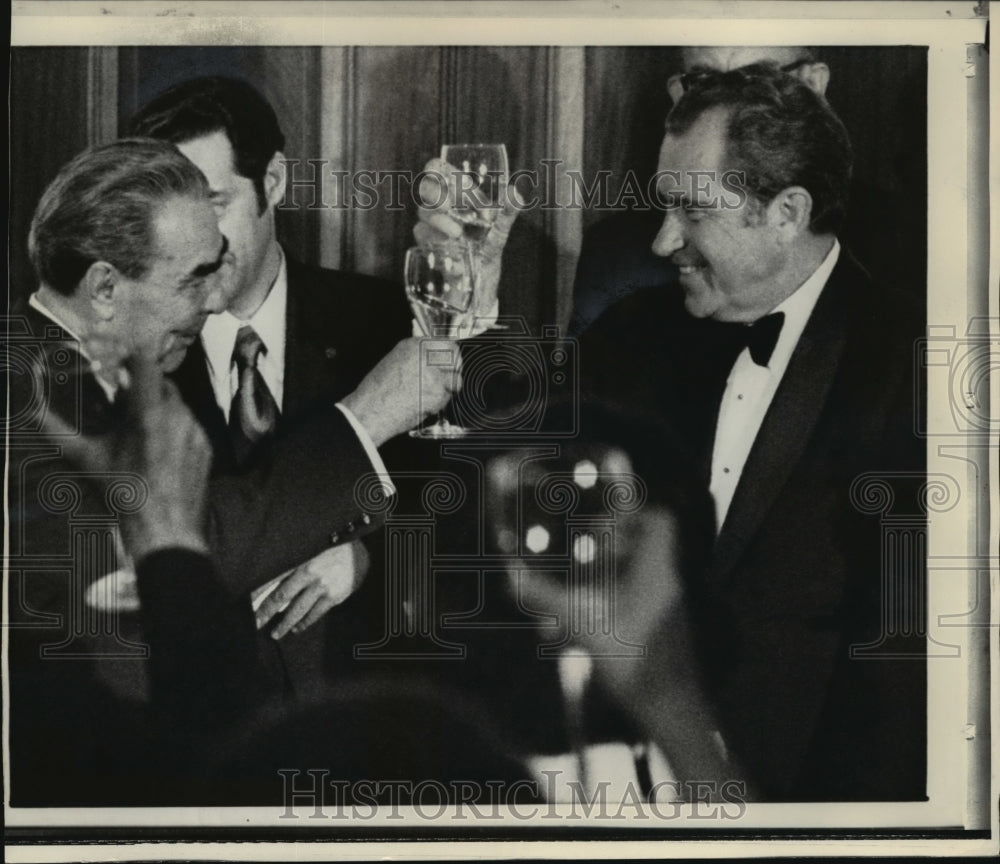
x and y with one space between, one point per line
219 338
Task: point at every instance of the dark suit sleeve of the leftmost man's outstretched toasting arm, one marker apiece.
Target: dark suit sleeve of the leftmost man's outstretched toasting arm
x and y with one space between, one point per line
304 500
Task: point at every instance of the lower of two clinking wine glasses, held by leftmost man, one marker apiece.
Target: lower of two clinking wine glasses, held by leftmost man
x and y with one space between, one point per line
439 285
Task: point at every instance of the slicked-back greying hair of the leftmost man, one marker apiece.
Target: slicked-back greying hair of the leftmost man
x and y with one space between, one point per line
101 206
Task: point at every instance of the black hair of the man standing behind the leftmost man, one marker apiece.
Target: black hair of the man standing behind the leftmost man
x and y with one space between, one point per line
202 106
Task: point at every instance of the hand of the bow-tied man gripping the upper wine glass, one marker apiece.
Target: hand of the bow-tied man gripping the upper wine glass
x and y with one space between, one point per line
436 221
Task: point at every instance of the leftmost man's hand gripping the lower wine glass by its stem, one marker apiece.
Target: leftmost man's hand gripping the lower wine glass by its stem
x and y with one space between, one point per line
415 379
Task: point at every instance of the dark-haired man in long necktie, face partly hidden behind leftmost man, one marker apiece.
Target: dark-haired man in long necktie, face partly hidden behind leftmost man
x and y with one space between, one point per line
313 335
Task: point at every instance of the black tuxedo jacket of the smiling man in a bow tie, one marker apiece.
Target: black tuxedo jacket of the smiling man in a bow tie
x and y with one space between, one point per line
796 577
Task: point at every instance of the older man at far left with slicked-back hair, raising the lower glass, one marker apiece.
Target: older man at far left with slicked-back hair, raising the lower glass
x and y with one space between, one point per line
125 240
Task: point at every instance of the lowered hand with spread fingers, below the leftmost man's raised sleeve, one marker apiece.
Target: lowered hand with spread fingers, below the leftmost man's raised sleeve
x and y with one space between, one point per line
310 591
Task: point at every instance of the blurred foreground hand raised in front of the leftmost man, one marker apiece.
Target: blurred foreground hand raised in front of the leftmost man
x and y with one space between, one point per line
159 441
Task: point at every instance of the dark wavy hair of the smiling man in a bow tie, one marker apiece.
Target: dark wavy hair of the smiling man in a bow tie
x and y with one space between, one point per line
780 133
